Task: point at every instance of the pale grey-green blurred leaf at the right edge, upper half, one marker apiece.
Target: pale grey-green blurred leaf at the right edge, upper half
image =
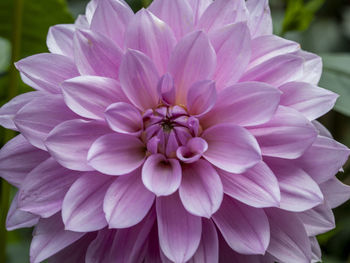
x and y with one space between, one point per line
336 77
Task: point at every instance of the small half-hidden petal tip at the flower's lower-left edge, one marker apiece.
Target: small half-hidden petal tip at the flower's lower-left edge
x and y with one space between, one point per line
19 219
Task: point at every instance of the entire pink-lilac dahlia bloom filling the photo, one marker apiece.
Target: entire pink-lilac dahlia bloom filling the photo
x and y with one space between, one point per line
183 133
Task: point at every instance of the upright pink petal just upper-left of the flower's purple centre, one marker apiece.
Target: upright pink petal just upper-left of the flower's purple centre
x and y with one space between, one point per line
141 86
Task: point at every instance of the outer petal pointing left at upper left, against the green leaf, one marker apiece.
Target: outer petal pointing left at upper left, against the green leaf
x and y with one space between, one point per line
47 75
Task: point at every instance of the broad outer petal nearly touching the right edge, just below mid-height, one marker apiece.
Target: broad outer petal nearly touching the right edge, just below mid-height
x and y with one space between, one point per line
323 159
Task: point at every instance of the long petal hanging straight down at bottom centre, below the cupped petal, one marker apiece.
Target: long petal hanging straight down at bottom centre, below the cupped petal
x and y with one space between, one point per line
179 231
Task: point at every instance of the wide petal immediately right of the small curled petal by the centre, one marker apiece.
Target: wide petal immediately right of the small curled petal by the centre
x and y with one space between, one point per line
231 148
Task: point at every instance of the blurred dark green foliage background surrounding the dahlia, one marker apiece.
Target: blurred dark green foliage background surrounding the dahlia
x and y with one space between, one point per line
320 26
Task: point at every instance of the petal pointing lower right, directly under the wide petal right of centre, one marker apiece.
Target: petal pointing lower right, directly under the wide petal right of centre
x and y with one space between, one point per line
257 187
